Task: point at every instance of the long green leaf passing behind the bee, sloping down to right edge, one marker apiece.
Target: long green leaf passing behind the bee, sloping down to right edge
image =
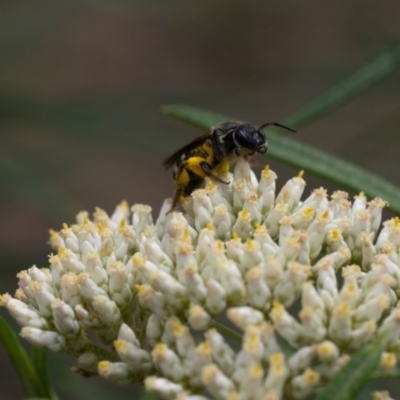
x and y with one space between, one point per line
303 156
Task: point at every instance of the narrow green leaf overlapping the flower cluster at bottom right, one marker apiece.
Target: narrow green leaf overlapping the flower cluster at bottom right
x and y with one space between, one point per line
349 381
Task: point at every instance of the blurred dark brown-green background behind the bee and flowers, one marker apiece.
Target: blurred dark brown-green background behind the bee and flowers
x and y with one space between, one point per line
82 83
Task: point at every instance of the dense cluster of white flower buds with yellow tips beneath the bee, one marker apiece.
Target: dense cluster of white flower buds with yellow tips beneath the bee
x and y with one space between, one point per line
151 292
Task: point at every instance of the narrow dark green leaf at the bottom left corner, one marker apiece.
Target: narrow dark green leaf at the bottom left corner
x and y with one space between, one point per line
27 375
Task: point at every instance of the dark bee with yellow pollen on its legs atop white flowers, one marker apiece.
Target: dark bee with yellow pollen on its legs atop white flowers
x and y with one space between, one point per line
211 154
